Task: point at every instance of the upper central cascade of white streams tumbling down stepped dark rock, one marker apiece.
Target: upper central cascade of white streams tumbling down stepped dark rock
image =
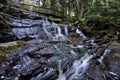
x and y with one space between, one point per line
56 34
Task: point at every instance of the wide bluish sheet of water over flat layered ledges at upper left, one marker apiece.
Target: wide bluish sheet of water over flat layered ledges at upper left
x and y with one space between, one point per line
24 27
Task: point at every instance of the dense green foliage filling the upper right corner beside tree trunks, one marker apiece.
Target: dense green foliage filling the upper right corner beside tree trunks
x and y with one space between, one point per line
102 15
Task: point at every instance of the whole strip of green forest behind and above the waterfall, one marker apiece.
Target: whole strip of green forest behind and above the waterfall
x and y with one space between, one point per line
95 14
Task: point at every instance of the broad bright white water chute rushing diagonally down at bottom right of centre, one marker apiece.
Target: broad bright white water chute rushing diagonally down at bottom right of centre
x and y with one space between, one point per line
79 67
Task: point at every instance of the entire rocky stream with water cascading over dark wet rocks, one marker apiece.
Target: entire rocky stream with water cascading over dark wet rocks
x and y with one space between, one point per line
56 51
